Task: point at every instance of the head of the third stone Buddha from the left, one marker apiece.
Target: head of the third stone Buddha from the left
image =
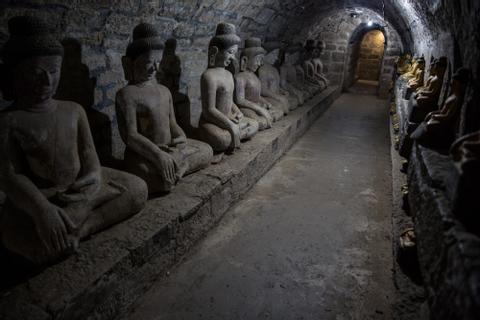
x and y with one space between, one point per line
223 47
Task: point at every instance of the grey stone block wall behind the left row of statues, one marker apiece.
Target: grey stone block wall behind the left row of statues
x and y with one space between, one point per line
99 31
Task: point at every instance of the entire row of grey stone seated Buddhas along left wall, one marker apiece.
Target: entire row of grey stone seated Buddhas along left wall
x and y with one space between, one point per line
57 191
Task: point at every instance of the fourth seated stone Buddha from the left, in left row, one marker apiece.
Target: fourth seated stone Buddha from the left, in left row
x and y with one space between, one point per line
248 87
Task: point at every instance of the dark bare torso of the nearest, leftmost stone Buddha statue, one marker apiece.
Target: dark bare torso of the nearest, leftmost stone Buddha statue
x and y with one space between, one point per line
46 144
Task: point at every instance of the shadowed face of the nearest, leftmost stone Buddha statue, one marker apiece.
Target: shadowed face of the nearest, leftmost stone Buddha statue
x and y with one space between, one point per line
36 79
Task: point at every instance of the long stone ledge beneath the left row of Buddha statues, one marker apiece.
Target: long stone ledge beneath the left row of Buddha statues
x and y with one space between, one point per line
116 266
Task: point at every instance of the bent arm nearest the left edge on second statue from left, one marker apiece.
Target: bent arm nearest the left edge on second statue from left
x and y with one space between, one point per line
129 131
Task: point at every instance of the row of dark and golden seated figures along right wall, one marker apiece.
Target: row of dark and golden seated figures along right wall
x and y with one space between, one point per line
436 127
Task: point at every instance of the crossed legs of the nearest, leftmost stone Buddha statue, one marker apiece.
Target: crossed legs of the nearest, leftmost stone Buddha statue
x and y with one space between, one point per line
121 196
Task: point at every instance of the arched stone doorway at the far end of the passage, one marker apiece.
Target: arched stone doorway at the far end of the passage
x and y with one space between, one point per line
366 56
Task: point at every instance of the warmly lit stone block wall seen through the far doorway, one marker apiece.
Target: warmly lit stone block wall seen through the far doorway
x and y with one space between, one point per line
371 56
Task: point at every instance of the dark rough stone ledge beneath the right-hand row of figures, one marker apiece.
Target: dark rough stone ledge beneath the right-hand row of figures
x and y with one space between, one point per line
449 256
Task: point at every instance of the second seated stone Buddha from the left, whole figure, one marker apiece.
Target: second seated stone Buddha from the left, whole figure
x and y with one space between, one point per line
157 149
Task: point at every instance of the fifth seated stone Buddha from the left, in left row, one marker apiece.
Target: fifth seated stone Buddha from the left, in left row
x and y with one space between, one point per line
271 91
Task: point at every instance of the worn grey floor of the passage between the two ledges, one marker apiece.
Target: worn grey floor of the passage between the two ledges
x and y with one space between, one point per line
310 241
